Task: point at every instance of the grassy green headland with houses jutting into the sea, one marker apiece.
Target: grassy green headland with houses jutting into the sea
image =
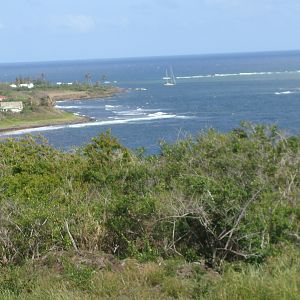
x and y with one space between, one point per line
38 104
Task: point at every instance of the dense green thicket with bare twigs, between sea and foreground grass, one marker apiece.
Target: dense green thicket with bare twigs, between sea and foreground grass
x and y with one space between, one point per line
231 196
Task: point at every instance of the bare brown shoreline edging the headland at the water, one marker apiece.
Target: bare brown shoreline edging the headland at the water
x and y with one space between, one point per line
78 119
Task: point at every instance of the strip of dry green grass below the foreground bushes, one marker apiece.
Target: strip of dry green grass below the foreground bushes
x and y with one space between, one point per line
277 279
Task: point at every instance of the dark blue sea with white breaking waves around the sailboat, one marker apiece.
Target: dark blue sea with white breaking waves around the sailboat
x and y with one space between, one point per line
216 91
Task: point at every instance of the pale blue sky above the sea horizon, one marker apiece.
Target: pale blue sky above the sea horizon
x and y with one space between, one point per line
44 30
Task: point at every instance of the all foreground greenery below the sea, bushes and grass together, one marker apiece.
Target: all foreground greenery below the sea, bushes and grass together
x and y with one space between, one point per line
211 217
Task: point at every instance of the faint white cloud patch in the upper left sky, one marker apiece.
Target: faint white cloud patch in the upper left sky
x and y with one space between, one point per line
78 23
